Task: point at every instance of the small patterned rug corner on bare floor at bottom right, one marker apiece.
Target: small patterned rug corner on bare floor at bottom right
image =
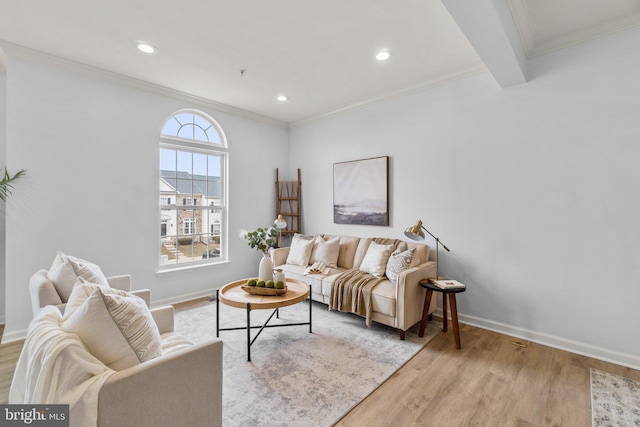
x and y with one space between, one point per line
615 400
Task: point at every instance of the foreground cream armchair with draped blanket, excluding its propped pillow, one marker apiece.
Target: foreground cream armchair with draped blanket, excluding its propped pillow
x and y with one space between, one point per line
181 387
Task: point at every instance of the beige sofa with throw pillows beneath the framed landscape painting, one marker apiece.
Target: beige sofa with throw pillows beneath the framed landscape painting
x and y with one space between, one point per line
396 301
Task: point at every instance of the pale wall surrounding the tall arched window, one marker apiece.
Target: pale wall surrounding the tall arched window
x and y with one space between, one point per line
90 147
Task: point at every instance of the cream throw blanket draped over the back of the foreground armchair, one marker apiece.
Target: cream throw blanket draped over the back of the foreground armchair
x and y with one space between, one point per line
55 367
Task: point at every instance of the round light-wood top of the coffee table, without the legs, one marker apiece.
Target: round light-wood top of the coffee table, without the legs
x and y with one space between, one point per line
233 295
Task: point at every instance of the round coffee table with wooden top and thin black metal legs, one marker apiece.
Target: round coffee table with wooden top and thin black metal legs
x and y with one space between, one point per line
233 295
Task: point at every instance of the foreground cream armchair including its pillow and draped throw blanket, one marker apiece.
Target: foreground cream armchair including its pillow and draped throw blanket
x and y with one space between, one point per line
118 363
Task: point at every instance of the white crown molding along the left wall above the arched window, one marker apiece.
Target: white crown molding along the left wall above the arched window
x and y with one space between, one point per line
13 50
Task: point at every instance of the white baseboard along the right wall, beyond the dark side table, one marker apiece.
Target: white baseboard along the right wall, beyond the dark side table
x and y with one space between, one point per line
623 359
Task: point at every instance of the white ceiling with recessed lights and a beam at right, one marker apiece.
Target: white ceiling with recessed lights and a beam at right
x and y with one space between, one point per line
320 54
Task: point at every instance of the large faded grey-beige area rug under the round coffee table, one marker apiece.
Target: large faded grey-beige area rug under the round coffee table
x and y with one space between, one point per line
297 378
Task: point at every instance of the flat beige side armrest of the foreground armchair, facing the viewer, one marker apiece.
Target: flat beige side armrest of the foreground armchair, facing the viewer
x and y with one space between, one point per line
182 388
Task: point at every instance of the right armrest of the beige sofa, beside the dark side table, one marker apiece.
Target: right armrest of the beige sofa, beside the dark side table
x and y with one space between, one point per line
410 295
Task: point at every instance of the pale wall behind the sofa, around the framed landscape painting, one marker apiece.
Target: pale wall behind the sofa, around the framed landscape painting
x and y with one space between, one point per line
534 188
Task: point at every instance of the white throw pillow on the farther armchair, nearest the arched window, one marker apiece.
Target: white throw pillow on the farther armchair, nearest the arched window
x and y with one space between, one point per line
66 269
